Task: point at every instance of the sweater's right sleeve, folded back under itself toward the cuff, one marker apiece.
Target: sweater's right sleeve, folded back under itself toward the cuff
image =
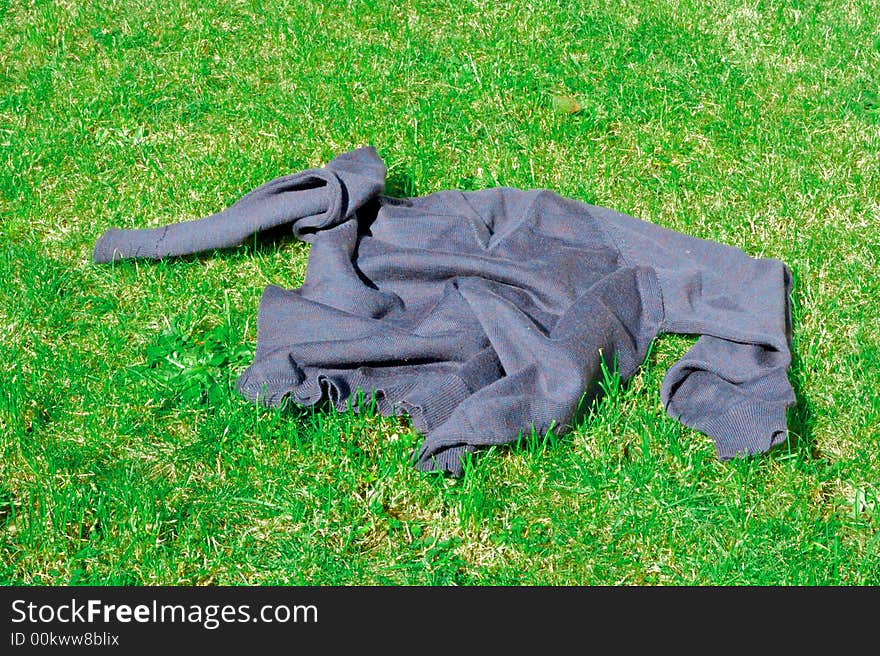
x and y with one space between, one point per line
733 383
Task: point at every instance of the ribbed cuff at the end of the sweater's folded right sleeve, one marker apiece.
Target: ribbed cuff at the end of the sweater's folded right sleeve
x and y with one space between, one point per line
748 428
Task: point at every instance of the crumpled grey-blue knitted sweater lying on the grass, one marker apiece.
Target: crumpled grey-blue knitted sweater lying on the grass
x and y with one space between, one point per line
488 315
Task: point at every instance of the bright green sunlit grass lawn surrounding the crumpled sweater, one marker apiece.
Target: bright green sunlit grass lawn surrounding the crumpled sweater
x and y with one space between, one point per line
127 457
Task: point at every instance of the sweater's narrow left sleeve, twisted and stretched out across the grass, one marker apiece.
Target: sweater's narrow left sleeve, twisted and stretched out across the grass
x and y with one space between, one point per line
307 201
